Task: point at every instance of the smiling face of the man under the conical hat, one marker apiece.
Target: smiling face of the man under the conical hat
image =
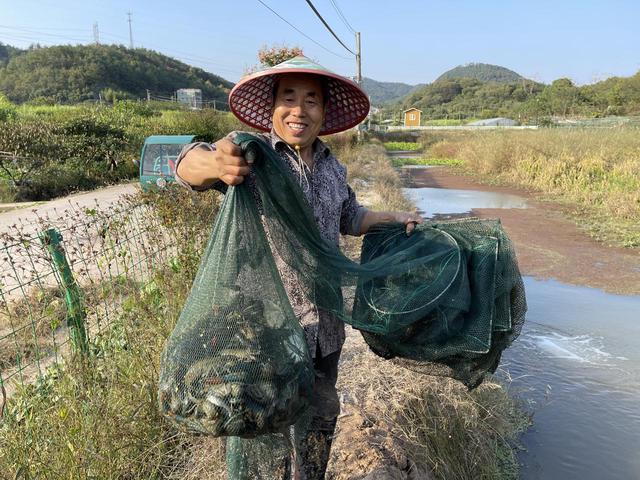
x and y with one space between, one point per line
298 109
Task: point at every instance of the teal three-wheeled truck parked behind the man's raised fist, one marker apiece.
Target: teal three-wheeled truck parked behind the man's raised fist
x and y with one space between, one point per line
158 159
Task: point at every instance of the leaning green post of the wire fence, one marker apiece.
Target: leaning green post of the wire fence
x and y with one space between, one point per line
76 314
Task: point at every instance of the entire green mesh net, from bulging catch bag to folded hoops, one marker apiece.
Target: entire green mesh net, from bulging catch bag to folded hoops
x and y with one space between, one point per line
446 300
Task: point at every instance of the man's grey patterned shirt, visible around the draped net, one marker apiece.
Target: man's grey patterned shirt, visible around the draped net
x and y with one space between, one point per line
336 211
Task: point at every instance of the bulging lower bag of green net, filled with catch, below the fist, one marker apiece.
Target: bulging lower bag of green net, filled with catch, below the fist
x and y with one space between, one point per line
237 362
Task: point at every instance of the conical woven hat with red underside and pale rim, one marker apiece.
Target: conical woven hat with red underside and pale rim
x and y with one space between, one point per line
251 100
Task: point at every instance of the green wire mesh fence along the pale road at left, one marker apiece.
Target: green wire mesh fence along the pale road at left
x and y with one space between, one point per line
64 278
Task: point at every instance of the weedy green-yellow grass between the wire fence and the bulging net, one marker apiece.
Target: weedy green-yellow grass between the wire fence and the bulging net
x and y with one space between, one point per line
97 417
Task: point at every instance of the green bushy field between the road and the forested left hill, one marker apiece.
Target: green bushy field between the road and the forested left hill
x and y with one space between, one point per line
87 146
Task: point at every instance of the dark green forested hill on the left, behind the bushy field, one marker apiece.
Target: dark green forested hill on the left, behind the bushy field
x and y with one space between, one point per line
69 74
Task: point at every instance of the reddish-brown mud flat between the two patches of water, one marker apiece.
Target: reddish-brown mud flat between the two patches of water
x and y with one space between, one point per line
548 244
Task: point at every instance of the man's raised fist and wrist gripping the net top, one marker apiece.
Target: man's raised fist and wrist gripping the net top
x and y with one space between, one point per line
201 167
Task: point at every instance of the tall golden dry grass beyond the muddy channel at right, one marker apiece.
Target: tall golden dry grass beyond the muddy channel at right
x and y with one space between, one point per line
595 173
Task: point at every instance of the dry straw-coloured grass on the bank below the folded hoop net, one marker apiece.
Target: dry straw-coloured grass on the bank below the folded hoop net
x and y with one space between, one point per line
427 424
